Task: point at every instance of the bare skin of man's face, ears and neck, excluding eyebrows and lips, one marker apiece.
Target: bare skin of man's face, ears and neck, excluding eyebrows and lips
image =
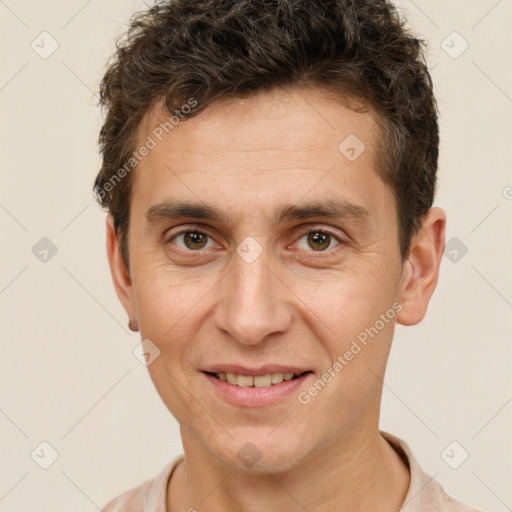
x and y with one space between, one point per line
292 305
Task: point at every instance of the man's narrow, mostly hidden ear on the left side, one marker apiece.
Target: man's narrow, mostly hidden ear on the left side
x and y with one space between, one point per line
120 274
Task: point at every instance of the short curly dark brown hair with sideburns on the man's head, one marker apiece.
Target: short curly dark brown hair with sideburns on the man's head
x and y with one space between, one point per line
209 49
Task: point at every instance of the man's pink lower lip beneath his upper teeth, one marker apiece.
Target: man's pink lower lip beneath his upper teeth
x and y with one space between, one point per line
257 397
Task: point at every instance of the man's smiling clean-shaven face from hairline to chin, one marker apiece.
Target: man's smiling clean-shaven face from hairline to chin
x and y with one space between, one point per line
259 249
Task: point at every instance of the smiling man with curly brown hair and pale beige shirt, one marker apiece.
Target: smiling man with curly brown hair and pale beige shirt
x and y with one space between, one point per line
269 171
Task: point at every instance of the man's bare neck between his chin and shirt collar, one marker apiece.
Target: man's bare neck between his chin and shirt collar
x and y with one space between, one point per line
361 472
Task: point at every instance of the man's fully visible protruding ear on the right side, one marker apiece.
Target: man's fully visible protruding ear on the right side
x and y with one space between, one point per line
421 269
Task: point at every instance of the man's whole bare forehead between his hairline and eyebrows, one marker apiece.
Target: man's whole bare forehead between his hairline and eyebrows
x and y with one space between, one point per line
261 150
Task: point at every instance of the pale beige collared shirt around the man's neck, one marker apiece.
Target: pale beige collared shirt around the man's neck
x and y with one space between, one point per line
423 495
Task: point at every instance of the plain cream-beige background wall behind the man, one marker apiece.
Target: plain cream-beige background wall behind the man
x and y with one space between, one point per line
68 374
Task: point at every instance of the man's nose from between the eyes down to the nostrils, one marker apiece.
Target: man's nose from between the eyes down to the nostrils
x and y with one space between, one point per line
253 302
